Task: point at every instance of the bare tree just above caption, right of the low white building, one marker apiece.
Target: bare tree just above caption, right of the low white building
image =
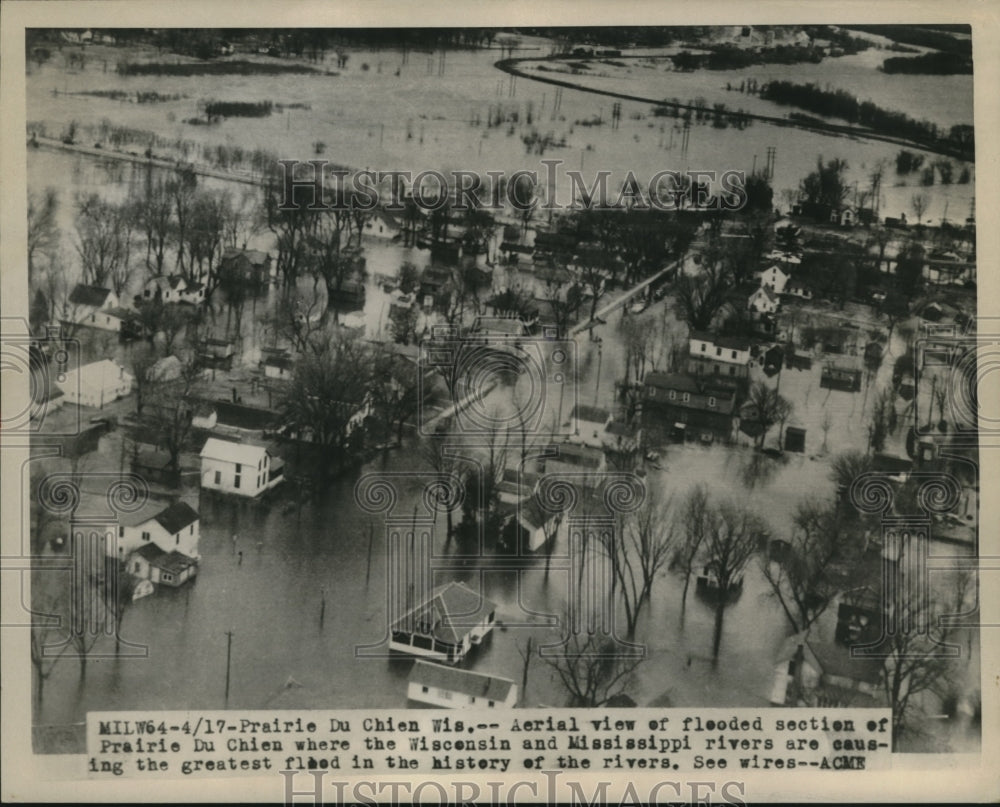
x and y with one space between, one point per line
593 669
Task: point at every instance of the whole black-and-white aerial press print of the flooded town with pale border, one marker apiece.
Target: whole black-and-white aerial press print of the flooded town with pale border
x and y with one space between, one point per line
617 368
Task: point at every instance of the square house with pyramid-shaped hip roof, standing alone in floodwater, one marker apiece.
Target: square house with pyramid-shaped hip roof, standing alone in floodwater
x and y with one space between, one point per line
446 625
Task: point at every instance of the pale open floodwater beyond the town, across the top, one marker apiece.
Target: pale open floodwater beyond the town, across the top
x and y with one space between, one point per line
431 116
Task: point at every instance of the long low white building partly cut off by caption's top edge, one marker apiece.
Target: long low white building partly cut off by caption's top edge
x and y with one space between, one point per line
452 688
